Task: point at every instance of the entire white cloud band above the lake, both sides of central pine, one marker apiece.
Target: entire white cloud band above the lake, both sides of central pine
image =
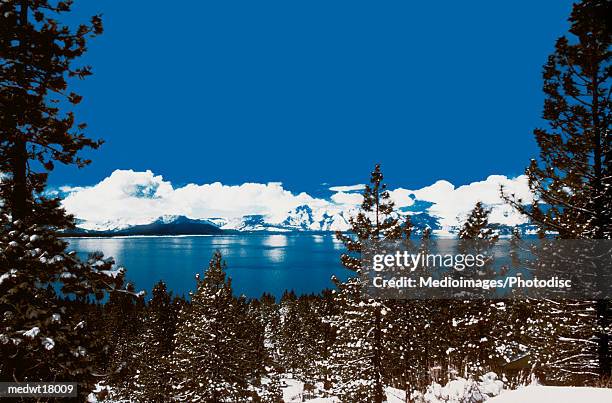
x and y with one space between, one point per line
127 197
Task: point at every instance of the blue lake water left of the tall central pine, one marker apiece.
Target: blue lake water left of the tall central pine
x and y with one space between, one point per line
257 263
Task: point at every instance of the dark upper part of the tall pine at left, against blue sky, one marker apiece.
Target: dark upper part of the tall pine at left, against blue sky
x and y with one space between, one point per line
38 56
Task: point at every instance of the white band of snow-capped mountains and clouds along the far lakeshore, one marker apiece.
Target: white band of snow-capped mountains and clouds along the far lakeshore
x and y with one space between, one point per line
141 202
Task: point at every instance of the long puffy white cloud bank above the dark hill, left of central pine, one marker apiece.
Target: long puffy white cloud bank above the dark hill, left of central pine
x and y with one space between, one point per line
129 198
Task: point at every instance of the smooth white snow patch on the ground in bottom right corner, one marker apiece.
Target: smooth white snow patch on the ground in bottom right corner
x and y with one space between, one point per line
555 394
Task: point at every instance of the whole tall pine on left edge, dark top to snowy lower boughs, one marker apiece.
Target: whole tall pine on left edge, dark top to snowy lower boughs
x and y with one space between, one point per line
45 328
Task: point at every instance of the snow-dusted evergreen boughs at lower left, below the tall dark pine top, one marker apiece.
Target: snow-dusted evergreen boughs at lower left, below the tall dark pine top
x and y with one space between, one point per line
46 330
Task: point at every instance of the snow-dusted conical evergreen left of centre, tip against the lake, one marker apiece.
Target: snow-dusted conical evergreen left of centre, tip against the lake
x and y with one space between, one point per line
205 363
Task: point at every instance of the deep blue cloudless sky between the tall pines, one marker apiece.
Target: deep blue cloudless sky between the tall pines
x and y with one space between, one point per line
316 92
